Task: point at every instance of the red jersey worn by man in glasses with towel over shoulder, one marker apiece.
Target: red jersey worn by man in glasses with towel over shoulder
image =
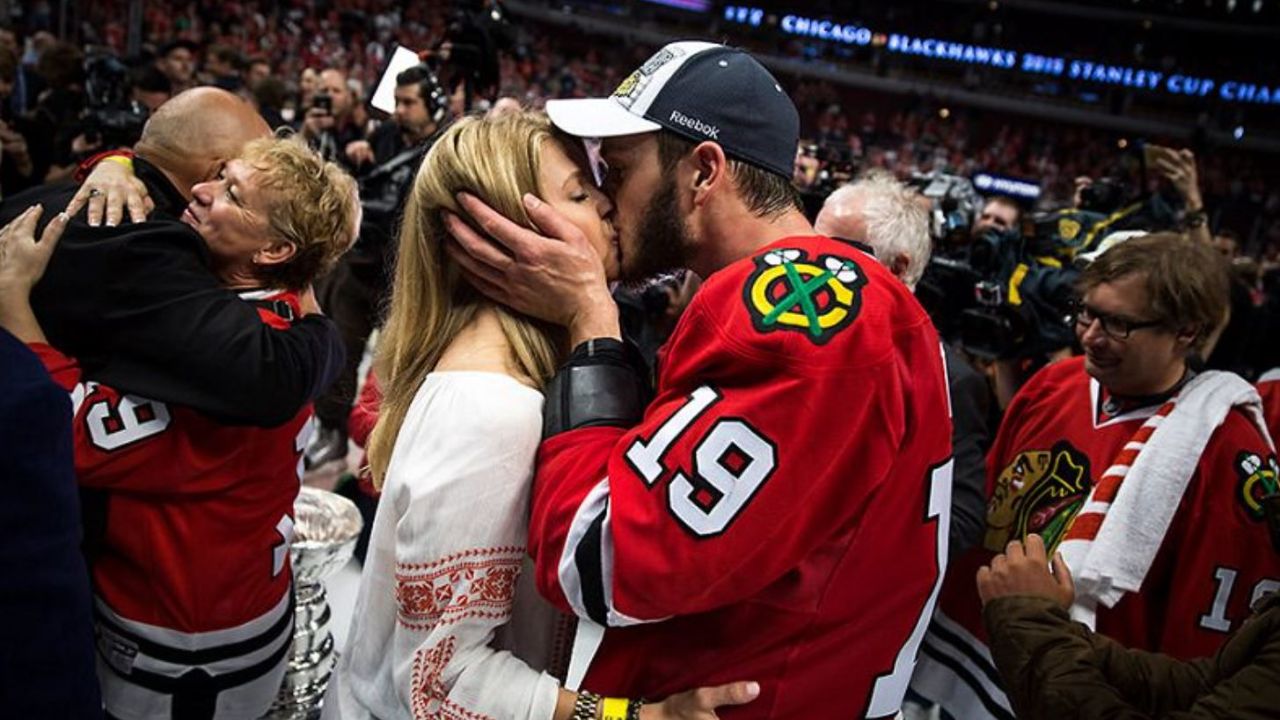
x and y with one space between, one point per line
1058 439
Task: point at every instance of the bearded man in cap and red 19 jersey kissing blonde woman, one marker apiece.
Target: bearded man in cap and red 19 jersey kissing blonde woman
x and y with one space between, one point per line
780 512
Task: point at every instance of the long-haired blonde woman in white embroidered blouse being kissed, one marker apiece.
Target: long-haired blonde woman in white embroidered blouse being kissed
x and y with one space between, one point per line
446 625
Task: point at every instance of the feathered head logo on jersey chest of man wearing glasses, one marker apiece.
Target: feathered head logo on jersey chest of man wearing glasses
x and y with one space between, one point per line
1040 493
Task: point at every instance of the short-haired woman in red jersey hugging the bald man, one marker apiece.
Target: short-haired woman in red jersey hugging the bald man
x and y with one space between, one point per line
194 600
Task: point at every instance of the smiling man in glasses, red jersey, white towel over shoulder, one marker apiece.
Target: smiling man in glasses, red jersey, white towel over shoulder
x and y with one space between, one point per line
1081 461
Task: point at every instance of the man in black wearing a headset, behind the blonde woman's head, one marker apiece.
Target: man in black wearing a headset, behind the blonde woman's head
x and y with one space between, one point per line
386 165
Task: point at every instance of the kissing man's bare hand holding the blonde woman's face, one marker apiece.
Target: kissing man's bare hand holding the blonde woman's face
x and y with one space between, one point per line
556 277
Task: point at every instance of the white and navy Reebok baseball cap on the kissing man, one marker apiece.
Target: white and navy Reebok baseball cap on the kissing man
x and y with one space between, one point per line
701 92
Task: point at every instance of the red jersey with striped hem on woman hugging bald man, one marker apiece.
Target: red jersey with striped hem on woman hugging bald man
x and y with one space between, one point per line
194 569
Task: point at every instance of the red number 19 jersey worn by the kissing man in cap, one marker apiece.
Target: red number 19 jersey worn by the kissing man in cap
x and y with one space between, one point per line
781 512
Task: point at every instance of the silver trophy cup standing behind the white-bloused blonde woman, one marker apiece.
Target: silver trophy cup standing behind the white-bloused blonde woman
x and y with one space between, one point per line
326 532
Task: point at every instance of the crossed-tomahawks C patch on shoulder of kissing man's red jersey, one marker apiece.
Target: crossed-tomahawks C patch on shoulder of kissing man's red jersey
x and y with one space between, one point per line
790 291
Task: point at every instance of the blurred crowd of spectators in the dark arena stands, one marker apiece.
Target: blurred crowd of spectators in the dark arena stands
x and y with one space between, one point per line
271 52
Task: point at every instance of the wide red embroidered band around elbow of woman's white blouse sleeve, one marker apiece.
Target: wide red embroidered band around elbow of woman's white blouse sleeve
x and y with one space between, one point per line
477 584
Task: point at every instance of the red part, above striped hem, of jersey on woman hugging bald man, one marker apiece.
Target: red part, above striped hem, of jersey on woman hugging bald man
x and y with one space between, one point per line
200 514
